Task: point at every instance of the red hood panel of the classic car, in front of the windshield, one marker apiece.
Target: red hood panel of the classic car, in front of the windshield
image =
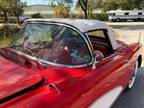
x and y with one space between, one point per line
15 78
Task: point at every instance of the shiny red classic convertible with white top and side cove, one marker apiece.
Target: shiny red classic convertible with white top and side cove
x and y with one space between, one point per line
66 63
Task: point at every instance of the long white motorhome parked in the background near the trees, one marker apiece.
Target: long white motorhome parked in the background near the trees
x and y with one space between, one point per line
126 15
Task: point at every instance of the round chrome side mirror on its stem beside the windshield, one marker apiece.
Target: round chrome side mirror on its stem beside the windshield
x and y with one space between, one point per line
98 57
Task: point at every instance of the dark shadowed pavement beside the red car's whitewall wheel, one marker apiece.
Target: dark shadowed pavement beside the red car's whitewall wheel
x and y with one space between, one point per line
135 97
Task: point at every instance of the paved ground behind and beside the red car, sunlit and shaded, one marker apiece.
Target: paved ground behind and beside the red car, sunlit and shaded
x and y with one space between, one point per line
129 32
